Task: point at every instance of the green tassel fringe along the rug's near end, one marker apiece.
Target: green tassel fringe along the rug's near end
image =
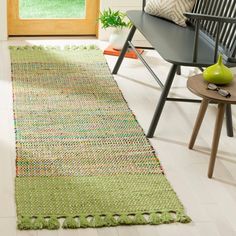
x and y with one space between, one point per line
82 221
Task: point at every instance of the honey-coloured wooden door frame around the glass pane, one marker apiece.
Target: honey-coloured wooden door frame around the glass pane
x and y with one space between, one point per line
86 25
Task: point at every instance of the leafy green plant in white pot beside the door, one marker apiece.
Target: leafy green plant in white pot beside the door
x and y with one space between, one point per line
116 19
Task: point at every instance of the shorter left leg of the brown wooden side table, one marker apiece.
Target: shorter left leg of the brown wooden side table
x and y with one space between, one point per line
198 122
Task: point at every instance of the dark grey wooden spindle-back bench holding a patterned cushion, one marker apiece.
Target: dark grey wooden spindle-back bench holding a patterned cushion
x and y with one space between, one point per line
210 30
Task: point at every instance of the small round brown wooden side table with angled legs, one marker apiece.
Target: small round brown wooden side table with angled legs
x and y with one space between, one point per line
198 86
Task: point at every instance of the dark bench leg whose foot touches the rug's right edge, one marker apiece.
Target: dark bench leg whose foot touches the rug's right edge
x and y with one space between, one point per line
162 101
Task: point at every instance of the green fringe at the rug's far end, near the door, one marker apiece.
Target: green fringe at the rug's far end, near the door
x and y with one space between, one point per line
57 48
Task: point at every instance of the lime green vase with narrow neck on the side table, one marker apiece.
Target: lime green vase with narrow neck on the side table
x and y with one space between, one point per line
218 73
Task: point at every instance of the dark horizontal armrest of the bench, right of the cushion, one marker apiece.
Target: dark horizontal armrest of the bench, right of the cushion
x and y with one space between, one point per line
210 17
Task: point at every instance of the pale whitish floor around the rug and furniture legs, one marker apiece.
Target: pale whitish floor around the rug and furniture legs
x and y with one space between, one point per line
210 203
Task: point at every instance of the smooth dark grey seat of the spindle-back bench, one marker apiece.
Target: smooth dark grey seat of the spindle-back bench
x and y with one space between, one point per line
176 44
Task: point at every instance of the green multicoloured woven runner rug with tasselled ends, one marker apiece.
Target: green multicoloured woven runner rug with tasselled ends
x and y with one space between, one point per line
82 158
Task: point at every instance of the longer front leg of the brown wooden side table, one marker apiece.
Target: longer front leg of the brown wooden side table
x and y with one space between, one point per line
216 137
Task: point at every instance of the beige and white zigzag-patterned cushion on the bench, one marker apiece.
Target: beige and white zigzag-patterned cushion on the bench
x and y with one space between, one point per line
170 9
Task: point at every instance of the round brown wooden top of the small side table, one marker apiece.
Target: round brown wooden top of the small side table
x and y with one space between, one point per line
198 86
